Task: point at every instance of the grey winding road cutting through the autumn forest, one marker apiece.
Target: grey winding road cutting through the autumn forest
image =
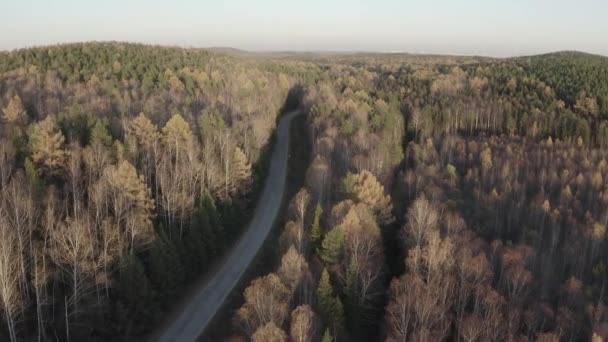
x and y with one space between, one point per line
192 321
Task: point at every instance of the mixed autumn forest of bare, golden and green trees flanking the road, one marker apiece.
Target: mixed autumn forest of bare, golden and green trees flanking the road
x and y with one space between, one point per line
447 198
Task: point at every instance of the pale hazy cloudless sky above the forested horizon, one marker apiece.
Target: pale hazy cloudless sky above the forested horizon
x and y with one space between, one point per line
488 27
